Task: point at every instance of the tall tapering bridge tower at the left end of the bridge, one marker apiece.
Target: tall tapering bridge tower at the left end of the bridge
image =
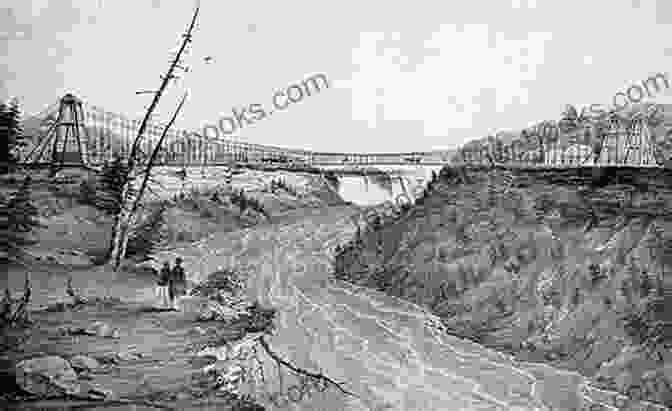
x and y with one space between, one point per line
62 143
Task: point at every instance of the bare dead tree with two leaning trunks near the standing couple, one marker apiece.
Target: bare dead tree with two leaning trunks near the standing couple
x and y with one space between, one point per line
126 218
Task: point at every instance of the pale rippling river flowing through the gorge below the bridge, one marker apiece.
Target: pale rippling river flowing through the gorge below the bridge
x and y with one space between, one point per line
391 353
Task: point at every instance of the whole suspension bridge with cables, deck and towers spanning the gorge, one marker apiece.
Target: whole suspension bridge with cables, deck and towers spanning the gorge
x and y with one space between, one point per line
72 133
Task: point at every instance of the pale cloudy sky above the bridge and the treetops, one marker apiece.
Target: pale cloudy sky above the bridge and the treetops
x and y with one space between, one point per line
403 76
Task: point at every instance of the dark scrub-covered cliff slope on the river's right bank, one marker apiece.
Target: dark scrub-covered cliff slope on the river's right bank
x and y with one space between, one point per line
550 268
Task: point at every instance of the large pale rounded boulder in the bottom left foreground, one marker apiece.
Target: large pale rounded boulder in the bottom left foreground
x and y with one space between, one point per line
47 377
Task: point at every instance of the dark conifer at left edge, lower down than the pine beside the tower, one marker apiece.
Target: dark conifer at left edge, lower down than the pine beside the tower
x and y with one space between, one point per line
18 218
